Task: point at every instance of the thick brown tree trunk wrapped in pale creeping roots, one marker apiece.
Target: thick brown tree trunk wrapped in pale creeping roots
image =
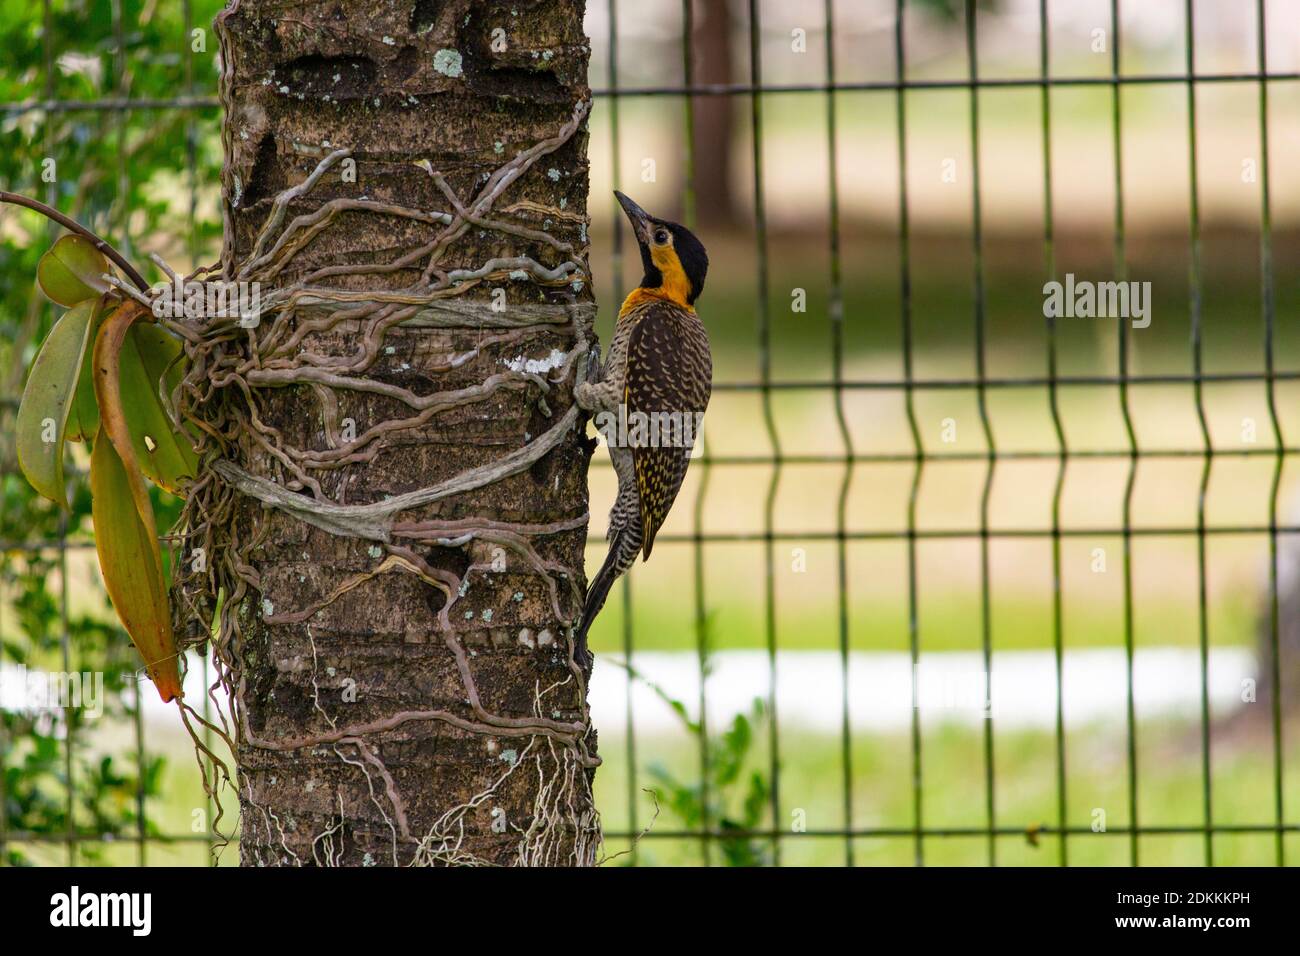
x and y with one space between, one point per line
404 685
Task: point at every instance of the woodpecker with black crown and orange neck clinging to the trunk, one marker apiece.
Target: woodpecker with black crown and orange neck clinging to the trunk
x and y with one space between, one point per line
651 396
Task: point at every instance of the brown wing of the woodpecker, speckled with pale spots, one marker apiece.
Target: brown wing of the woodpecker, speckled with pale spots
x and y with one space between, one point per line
671 371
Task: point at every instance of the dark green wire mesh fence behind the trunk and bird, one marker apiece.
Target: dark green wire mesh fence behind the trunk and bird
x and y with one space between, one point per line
920 457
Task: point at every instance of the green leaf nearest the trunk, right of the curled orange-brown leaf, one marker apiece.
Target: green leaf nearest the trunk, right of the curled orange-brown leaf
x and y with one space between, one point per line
151 356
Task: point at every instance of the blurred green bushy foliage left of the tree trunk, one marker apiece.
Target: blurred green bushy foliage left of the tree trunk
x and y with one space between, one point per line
125 176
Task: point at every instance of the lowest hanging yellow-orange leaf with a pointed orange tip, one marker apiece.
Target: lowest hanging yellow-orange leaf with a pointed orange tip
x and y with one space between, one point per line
132 564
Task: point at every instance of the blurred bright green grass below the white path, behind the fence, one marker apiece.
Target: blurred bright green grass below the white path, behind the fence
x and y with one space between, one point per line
954 797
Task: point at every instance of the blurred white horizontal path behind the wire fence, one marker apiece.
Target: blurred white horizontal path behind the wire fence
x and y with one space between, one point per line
1167 684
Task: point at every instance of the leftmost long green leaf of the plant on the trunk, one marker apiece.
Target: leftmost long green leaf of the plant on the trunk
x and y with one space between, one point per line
42 423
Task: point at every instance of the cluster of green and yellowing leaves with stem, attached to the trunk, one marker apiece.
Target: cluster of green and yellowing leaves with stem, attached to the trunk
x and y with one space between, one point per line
105 375
